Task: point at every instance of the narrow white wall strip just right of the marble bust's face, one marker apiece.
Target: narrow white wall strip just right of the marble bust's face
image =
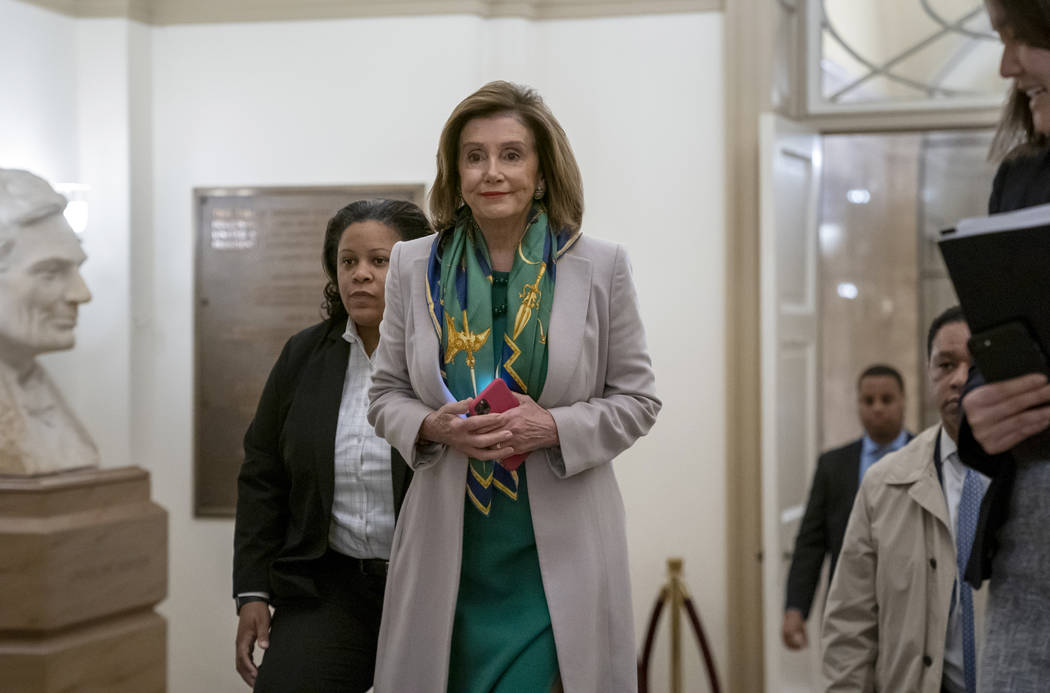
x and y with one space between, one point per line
96 375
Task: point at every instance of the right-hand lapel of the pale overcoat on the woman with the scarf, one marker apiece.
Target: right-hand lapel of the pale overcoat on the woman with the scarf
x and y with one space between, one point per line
569 318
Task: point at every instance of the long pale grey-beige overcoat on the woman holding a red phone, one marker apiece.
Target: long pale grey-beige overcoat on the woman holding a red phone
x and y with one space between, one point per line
601 392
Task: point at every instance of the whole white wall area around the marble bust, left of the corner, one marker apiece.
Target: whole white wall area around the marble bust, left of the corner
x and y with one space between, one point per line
64 116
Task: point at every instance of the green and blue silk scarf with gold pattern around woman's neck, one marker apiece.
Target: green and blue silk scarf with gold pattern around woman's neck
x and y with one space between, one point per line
460 293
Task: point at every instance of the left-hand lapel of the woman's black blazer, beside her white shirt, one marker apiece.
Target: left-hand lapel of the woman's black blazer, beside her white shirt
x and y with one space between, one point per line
326 377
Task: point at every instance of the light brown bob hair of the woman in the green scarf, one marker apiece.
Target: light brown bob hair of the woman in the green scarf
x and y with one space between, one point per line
564 196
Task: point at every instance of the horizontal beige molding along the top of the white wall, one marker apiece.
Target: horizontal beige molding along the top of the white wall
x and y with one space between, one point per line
205 12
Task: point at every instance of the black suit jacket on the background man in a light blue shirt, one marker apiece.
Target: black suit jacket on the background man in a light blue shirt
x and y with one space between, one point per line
824 526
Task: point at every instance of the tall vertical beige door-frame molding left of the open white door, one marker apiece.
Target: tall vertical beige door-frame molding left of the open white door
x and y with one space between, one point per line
749 41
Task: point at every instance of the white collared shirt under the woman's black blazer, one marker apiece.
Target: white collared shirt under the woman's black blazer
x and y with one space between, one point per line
363 507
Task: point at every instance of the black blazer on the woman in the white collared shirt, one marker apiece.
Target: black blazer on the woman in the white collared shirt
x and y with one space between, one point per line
287 481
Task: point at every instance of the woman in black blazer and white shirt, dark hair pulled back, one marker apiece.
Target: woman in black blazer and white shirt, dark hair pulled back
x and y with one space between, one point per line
319 492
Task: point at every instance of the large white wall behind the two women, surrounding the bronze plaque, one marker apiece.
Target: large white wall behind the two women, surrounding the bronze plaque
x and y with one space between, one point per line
363 101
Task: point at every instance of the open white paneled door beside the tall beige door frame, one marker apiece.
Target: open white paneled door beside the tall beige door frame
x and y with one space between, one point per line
791 166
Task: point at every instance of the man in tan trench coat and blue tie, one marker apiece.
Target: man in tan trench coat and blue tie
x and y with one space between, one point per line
891 624
